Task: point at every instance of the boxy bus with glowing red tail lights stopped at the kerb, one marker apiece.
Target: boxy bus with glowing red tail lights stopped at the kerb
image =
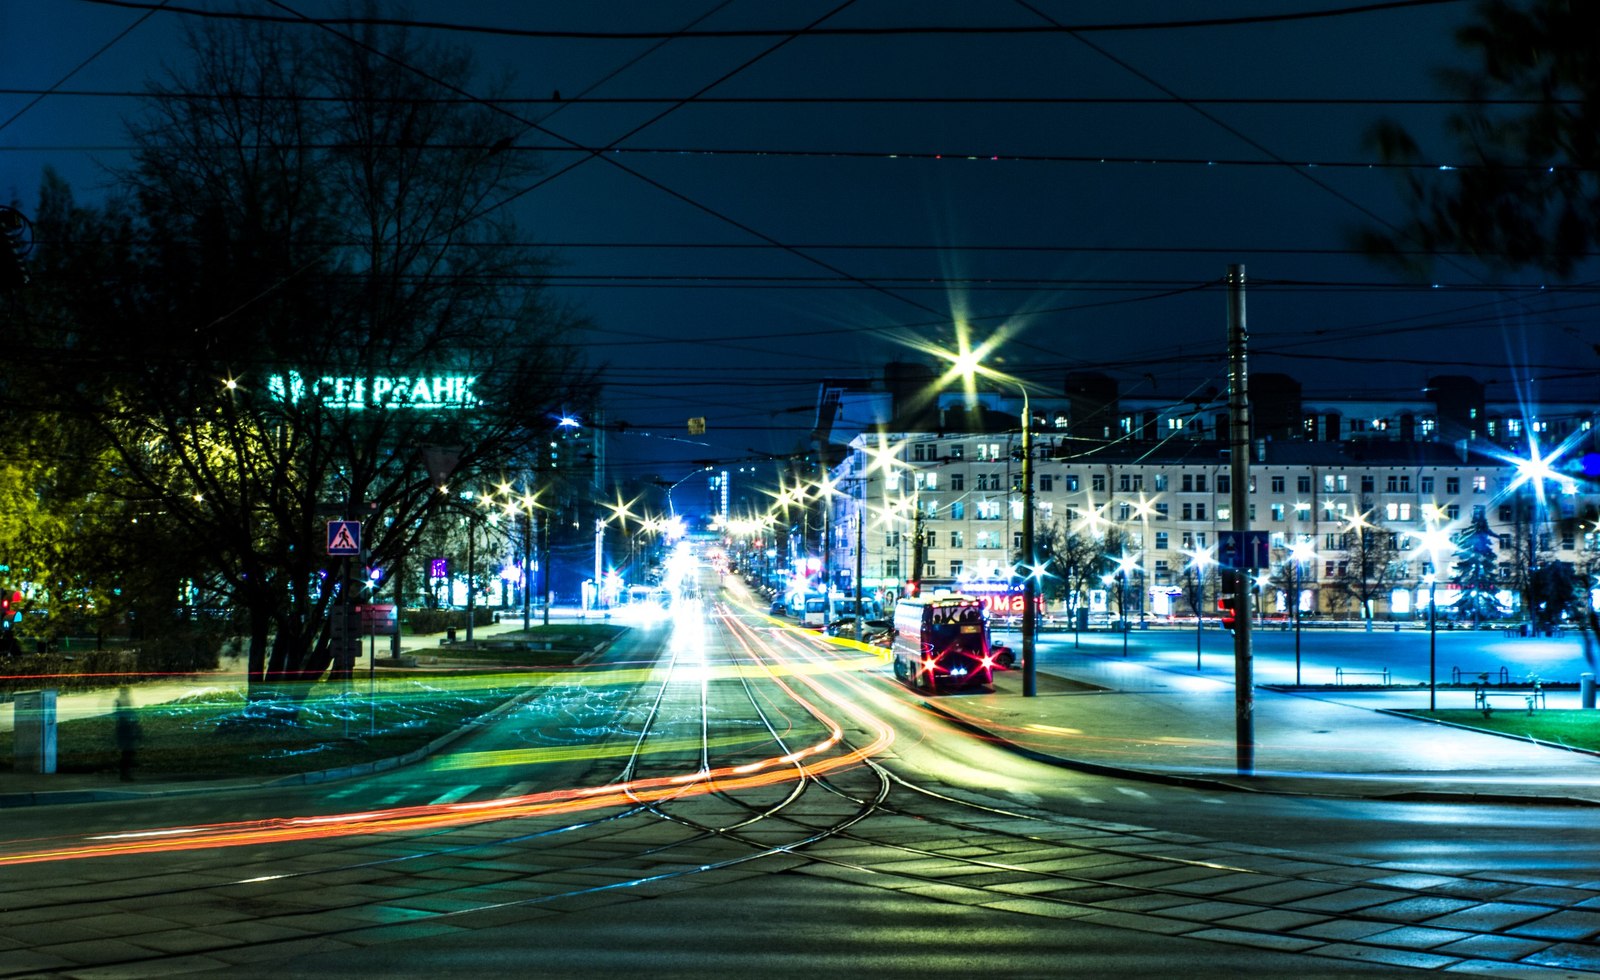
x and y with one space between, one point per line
942 643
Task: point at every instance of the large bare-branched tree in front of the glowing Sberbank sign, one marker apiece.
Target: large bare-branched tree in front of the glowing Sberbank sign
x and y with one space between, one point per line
302 211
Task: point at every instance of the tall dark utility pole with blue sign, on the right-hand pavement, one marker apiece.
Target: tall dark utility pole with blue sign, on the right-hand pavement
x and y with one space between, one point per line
1239 459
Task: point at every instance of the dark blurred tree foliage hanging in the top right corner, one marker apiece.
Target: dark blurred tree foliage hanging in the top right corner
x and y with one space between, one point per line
1522 185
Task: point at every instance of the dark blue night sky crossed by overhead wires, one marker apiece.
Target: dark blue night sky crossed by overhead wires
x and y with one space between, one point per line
1081 190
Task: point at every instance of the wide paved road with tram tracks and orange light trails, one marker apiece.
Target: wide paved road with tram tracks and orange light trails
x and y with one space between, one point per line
948 856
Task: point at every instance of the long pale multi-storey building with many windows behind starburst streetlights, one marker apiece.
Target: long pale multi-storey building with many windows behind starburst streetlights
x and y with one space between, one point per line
1358 483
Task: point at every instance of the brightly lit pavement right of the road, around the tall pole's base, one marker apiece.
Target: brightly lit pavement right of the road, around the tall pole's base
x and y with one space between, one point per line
1108 715
